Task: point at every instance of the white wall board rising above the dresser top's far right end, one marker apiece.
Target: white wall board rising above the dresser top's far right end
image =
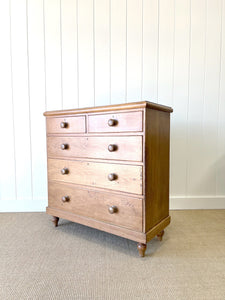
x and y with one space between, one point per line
166 47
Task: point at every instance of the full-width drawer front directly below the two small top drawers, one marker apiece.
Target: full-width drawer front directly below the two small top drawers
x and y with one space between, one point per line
120 148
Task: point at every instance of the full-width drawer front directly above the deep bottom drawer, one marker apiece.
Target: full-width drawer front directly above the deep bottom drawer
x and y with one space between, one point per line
126 178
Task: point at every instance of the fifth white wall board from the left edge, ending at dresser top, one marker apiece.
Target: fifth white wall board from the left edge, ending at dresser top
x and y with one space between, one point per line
69 53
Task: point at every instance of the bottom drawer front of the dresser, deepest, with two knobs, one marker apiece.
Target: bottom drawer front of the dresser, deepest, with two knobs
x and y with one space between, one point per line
125 211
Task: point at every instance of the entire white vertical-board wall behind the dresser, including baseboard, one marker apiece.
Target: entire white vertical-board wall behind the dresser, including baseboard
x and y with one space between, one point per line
58 54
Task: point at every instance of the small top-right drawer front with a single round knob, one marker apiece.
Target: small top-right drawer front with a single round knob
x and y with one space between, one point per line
118 122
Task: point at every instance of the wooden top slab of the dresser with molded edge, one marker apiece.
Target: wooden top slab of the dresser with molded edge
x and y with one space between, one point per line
106 108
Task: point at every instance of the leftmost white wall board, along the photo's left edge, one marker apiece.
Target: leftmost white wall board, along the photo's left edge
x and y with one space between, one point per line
7 155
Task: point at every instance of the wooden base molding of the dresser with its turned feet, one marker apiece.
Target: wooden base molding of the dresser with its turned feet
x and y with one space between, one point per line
140 237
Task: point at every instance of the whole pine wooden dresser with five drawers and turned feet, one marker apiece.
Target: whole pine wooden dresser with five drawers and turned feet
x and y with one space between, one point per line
108 168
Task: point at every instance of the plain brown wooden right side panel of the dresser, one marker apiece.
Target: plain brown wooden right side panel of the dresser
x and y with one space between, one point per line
157 146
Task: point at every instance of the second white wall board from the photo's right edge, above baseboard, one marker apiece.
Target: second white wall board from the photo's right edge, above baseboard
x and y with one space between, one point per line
211 95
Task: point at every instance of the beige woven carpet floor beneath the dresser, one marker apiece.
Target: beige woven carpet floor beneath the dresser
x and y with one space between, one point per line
38 261
